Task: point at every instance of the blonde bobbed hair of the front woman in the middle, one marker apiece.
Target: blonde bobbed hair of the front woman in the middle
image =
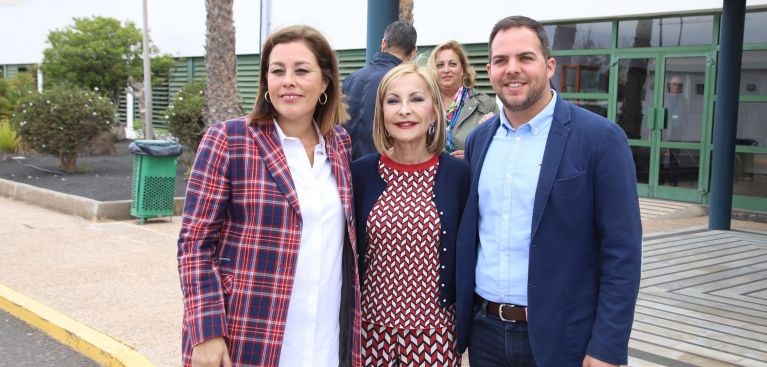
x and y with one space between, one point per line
435 142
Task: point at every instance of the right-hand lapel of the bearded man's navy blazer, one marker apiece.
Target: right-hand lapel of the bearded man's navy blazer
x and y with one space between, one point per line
552 156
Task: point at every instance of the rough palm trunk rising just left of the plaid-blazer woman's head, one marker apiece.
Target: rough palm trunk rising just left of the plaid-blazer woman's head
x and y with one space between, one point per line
223 100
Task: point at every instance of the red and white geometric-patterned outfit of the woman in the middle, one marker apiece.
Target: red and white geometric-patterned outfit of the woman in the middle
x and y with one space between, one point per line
402 319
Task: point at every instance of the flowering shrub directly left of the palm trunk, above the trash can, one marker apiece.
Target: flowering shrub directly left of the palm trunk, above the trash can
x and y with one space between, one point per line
186 115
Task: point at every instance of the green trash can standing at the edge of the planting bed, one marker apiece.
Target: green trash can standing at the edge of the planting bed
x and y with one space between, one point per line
154 178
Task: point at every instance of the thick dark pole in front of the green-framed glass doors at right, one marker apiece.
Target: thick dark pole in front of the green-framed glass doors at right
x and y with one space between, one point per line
726 115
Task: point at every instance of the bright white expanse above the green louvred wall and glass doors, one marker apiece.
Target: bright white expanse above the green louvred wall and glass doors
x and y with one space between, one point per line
177 27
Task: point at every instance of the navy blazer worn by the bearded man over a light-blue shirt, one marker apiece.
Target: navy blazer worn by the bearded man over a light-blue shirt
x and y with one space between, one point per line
586 241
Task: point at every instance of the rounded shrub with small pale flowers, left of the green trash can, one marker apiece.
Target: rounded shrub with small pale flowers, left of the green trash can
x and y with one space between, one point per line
61 120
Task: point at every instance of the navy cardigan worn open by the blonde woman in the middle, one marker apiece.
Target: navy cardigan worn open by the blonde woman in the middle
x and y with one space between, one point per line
450 188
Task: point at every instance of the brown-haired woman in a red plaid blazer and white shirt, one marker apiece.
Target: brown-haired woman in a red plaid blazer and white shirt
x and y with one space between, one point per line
266 262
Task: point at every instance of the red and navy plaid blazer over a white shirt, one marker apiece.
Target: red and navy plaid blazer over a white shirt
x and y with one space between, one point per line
239 244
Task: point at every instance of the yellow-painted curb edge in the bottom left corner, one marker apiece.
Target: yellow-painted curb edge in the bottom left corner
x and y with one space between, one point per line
102 348
